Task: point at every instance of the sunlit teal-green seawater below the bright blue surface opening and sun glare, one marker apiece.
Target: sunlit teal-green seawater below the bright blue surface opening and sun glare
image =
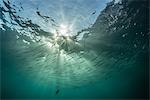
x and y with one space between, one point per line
107 63
